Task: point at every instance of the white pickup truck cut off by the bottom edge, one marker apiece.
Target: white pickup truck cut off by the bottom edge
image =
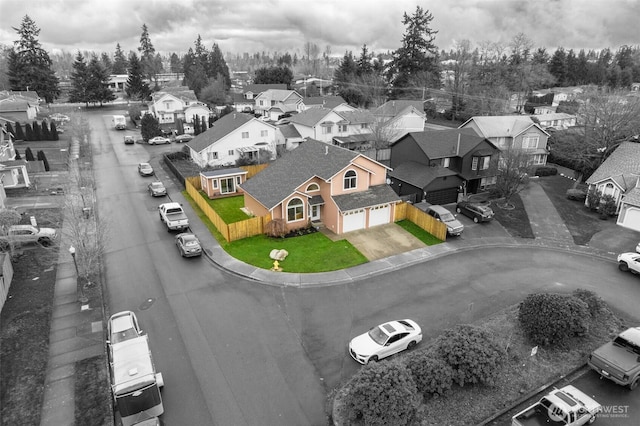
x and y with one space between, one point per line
567 406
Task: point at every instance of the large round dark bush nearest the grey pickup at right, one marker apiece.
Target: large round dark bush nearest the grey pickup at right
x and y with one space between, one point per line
552 319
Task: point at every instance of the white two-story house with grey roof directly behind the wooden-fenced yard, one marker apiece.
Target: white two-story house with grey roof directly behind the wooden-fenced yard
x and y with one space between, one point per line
232 137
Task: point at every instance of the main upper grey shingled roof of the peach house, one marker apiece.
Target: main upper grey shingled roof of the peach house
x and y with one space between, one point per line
280 179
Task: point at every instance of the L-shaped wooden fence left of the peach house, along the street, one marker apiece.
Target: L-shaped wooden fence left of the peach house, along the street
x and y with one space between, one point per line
232 231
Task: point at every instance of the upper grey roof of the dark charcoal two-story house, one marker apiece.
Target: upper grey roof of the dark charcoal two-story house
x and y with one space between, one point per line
444 143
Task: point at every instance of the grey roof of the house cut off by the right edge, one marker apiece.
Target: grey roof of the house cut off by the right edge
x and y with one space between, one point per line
623 166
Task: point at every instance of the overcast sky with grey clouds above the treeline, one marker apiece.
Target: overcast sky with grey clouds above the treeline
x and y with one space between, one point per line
239 26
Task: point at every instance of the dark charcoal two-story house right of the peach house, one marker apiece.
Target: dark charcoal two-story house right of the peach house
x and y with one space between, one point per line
437 165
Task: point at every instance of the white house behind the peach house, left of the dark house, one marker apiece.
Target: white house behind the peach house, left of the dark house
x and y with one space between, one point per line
325 124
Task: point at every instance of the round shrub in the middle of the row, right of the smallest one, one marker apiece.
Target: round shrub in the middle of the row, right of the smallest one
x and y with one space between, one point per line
473 353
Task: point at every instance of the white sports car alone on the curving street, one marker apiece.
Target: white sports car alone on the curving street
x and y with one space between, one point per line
385 340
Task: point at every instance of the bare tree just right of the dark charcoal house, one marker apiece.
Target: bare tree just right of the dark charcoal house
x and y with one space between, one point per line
513 168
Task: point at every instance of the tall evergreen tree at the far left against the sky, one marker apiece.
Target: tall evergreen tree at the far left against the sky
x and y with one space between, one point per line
29 66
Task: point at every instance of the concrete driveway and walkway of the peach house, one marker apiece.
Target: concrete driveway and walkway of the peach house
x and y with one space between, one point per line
380 241
